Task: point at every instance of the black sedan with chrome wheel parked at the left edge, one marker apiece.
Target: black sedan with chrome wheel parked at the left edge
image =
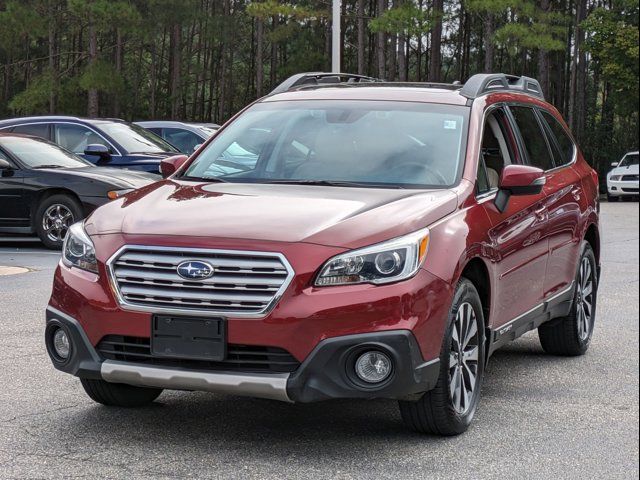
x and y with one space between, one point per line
44 189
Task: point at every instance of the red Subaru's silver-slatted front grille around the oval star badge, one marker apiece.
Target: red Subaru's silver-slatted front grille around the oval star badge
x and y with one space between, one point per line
243 283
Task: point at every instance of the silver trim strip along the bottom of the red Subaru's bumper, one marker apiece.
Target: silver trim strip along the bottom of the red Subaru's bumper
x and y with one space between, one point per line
270 386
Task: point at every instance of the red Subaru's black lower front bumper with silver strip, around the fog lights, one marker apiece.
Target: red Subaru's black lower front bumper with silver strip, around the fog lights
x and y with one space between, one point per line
325 374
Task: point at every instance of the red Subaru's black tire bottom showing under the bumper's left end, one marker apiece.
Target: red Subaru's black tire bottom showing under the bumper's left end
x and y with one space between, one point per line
119 394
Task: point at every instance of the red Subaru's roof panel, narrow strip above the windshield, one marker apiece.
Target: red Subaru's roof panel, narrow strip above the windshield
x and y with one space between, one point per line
372 92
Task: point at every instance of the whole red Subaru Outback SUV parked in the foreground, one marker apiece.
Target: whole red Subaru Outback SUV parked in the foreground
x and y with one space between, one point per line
340 238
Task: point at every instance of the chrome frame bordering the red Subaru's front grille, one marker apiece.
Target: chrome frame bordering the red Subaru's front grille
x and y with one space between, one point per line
186 310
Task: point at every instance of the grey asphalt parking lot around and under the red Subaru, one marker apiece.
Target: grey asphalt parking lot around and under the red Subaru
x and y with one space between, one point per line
540 416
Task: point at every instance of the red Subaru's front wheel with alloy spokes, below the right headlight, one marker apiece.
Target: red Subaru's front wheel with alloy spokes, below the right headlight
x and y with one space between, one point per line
449 408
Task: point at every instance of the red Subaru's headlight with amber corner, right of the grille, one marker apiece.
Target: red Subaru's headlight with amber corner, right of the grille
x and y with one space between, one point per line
387 262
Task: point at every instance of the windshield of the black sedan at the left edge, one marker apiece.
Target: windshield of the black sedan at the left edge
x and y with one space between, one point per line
36 153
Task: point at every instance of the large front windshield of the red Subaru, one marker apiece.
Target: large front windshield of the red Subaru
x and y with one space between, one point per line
362 143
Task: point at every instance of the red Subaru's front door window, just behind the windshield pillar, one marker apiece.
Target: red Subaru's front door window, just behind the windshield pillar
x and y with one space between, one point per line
495 152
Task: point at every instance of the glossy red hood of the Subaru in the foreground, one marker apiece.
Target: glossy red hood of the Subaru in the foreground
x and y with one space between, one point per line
332 216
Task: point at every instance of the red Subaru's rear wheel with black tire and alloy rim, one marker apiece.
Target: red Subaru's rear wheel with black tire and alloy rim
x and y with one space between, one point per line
571 335
